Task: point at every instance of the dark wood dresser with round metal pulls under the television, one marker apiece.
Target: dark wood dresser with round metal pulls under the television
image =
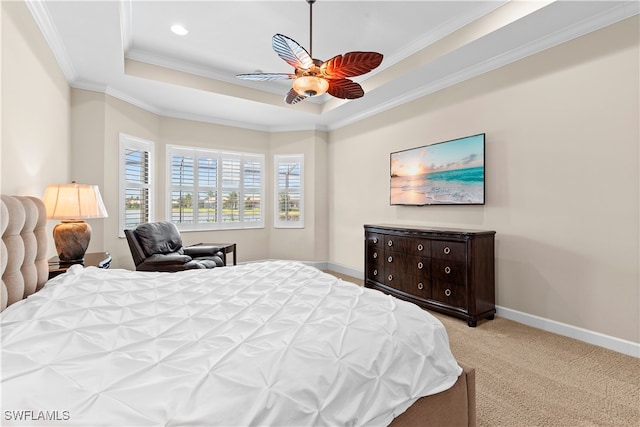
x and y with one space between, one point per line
446 270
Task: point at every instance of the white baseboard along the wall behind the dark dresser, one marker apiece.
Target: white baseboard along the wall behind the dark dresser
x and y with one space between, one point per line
612 343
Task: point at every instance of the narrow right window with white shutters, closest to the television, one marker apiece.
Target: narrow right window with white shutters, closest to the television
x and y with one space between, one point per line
289 184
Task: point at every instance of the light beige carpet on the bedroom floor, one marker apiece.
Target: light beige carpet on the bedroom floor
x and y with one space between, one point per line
529 377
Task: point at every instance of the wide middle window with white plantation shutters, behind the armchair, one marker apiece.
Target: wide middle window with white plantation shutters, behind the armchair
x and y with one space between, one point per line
211 189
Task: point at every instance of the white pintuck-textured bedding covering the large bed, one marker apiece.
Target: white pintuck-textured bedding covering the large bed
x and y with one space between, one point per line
273 343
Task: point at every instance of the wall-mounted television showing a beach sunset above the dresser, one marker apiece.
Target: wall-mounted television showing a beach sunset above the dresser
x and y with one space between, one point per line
445 173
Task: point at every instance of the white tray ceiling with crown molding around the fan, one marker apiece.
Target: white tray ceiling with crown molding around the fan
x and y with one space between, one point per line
126 49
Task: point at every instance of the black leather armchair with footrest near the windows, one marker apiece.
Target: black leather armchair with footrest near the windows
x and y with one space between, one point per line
157 246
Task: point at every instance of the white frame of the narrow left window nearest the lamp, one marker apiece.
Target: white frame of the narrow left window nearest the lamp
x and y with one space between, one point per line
129 142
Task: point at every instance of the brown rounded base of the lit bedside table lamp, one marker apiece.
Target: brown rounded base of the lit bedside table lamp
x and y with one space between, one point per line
72 240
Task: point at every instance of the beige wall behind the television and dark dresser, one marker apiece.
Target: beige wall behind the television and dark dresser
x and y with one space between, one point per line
562 178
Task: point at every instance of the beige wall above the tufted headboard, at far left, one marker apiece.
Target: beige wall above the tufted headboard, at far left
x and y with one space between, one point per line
35 109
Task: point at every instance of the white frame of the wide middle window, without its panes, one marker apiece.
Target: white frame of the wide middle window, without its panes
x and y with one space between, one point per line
221 156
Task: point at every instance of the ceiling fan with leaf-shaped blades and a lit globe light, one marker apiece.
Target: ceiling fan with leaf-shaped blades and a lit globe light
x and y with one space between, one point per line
314 77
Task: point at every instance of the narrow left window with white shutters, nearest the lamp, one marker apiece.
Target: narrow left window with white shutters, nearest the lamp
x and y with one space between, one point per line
136 190
